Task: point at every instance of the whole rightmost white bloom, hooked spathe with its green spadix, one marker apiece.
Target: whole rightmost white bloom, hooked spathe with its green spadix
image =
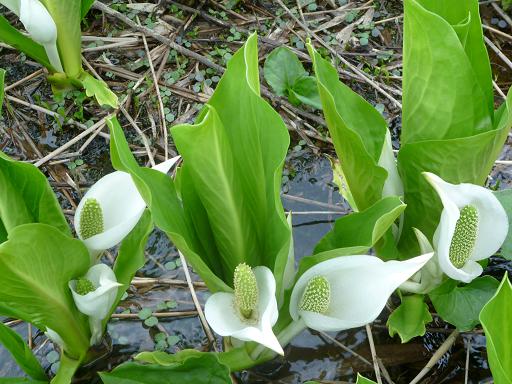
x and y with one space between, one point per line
472 227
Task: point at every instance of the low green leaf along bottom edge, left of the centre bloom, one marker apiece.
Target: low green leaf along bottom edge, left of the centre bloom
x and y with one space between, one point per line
187 367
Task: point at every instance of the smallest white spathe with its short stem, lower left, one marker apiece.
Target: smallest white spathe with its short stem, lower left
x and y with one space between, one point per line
98 303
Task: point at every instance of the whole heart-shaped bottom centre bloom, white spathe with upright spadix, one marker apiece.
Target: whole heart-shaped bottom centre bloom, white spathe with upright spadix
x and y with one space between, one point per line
256 294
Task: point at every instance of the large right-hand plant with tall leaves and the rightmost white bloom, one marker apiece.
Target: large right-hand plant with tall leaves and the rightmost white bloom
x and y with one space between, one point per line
449 130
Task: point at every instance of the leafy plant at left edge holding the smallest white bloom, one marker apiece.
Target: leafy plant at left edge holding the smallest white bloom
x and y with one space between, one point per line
43 264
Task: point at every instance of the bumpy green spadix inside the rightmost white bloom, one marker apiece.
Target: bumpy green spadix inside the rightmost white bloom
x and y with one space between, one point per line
464 236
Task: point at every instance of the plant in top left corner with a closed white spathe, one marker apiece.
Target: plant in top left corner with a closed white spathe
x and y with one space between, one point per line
54 40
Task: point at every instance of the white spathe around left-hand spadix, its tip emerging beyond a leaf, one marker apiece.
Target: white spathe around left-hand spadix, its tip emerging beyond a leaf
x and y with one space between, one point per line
121 204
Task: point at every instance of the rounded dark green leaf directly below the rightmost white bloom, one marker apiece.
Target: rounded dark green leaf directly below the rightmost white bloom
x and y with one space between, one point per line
461 306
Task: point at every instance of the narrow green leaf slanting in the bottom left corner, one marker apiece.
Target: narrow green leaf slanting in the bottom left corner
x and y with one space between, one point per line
21 352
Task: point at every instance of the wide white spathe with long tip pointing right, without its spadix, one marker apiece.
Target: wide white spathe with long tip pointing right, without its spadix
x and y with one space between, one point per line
360 286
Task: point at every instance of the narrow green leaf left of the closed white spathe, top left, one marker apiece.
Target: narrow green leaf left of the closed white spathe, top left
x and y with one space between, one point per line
13 37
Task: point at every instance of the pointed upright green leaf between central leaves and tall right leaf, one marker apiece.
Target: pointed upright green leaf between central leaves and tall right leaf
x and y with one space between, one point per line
358 132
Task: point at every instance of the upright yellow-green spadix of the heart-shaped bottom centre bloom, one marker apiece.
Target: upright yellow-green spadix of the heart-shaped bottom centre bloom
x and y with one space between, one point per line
246 290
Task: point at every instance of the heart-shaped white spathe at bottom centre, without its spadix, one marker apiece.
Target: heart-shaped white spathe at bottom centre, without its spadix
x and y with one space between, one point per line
224 318
